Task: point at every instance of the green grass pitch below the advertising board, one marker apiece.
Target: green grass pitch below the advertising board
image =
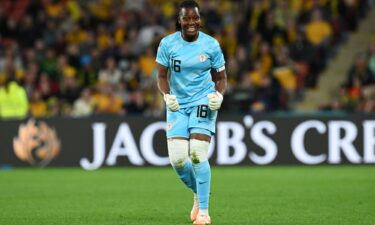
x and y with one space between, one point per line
154 196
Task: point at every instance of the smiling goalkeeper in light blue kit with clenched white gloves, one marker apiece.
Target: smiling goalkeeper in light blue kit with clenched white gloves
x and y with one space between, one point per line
185 60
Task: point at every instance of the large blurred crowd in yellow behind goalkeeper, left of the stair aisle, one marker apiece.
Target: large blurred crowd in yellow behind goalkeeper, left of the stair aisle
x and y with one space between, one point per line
79 58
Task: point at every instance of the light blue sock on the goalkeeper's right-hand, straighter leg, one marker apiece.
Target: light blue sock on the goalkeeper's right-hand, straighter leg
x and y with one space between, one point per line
203 176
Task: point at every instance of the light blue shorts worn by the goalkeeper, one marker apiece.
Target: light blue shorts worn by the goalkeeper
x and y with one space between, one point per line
192 120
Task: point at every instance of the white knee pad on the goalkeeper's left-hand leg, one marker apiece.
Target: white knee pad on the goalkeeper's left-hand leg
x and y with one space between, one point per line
178 151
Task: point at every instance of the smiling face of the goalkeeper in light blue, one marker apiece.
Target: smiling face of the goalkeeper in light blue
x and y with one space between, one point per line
190 21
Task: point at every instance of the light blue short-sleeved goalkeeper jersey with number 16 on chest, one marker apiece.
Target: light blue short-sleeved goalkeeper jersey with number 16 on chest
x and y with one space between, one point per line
190 65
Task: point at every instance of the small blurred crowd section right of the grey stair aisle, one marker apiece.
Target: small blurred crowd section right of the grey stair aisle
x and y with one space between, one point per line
357 93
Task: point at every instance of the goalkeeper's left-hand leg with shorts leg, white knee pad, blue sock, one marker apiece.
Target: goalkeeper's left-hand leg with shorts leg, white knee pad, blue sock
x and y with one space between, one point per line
178 147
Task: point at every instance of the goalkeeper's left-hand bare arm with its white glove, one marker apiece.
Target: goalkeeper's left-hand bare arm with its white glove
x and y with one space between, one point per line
163 84
